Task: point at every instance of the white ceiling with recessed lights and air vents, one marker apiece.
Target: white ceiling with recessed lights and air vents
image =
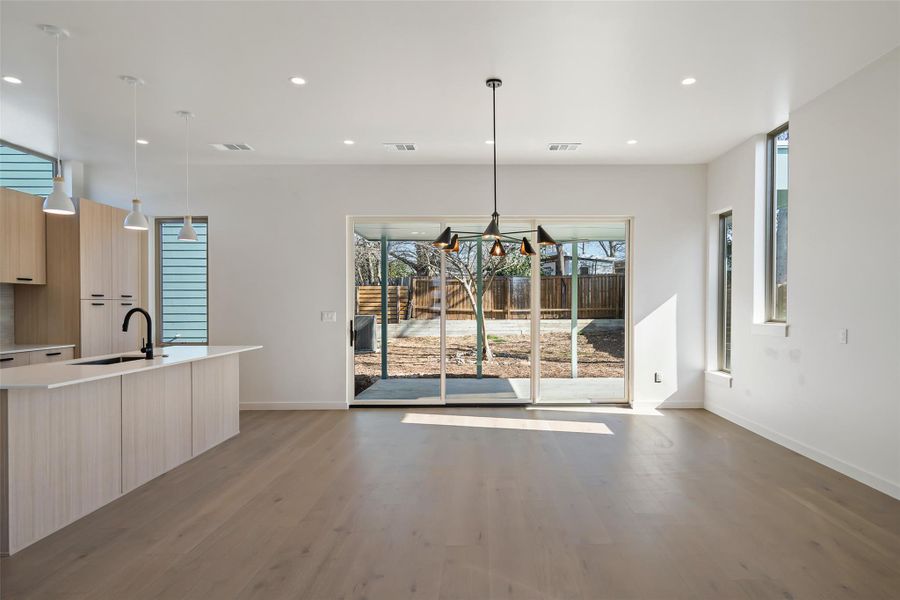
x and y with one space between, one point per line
595 73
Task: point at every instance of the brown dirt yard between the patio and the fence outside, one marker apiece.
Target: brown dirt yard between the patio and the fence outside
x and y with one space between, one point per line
601 353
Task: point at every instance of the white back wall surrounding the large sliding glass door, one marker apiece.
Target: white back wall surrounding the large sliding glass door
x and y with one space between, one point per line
277 258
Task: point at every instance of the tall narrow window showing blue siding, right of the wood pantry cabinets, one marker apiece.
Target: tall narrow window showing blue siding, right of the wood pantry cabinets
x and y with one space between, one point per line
182 283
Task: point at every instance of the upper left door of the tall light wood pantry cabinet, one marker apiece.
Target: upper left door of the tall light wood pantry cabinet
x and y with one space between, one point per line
96 248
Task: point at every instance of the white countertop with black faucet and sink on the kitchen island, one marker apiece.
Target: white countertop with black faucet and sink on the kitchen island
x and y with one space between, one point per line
60 374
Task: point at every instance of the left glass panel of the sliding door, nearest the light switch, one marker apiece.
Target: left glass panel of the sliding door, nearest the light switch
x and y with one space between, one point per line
397 313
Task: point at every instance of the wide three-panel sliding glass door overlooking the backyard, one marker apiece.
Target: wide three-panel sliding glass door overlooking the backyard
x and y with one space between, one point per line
436 327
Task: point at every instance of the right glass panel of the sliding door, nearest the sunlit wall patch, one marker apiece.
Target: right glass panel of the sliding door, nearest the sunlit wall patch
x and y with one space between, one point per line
583 304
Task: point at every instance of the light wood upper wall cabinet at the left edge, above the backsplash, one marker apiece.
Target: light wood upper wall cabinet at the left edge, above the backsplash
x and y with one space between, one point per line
22 238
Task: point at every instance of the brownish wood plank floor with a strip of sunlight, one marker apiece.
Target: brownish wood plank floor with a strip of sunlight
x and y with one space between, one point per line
359 504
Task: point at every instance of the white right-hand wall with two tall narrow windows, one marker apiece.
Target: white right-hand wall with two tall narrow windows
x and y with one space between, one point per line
838 404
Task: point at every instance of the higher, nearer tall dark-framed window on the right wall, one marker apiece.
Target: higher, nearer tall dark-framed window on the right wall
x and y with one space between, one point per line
777 216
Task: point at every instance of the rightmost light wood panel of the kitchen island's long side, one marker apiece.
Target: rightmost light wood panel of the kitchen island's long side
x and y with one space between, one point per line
216 401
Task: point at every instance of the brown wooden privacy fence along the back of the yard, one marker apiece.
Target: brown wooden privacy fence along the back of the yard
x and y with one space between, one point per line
599 297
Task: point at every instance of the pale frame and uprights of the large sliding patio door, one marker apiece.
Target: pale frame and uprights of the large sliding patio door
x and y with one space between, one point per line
352 220
